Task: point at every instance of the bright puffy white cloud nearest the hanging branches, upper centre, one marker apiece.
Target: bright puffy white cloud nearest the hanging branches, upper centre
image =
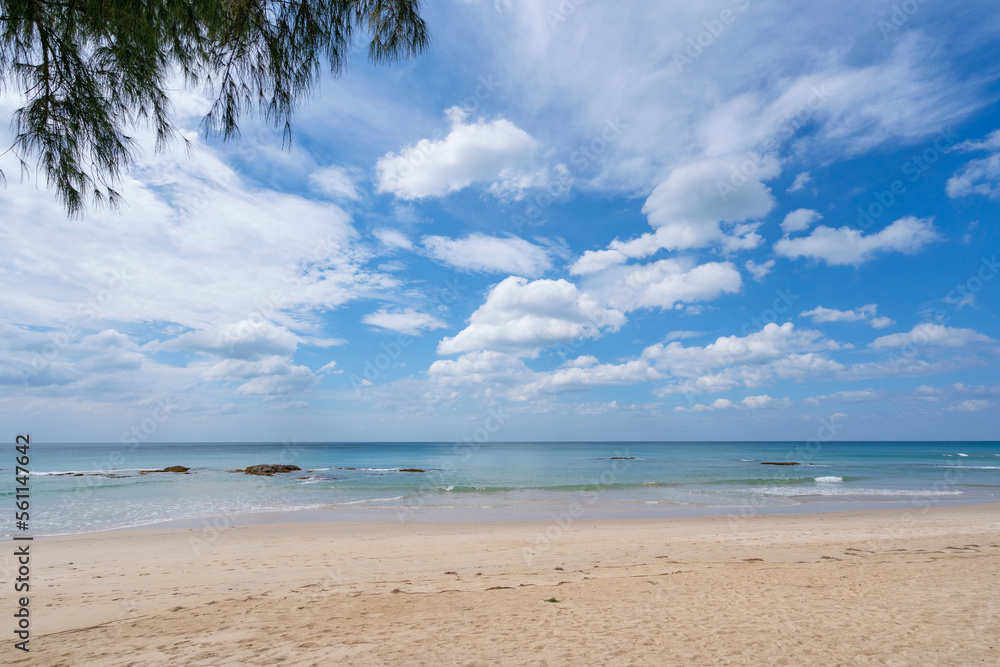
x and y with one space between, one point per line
482 151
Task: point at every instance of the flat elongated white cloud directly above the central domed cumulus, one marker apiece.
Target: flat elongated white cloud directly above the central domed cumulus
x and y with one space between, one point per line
490 254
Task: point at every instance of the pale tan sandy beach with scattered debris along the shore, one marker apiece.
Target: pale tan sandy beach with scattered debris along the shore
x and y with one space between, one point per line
888 587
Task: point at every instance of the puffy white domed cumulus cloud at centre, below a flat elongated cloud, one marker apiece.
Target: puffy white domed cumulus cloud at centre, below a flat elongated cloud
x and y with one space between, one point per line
522 317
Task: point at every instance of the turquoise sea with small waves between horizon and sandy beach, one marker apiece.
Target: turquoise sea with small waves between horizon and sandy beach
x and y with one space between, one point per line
490 481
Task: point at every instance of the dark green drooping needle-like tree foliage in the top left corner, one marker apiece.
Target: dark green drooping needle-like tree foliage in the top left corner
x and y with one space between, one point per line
90 71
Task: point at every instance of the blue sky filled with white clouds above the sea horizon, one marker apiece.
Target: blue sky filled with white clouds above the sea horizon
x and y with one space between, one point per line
707 221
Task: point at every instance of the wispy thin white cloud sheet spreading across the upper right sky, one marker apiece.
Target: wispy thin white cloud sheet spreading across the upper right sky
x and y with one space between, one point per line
566 68
